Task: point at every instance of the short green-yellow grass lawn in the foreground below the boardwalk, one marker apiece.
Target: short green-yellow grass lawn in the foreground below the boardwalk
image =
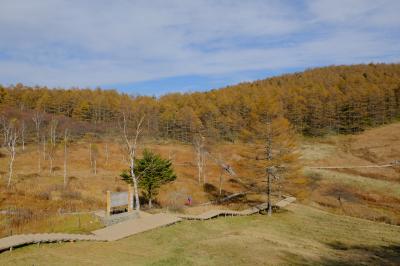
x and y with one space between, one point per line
302 235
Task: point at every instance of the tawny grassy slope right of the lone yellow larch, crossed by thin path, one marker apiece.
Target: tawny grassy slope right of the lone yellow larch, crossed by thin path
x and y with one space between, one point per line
371 193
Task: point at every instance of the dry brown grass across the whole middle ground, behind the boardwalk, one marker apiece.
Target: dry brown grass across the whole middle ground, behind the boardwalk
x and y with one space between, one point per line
368 193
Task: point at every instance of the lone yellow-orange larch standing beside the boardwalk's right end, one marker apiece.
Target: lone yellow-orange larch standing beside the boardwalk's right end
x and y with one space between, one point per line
274 150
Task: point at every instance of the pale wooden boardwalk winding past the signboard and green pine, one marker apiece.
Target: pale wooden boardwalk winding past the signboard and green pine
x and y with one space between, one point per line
130 227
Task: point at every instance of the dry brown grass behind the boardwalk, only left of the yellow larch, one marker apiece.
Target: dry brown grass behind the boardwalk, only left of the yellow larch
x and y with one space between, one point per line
40 192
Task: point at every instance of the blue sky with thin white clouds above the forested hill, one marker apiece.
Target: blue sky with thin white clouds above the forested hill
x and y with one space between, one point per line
155 47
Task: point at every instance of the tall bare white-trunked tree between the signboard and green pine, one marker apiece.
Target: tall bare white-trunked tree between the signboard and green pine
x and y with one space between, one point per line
132 129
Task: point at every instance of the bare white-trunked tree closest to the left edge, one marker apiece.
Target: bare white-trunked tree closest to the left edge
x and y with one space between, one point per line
10 132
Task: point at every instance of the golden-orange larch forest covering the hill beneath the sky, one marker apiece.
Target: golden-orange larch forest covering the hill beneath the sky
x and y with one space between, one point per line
341 99
